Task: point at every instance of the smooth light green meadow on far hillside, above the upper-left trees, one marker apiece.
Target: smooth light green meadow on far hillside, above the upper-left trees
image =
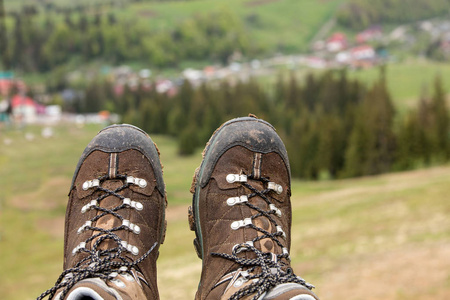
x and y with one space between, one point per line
276 25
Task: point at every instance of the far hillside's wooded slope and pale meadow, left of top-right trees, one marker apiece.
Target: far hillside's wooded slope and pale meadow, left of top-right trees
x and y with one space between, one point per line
156 34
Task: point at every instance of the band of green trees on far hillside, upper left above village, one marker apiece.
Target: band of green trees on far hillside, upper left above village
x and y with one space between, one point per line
41 43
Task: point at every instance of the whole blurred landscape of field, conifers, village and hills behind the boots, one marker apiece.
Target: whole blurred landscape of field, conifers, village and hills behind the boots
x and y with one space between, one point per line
357 89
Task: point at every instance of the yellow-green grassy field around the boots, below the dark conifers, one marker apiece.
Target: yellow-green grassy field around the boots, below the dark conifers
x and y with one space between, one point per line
383 237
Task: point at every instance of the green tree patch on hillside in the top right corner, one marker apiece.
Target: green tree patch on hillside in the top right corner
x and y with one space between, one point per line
360 14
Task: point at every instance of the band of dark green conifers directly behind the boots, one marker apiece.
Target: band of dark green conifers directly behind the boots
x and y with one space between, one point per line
332 126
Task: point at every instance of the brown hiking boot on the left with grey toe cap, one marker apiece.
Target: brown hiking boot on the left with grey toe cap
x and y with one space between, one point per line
115 219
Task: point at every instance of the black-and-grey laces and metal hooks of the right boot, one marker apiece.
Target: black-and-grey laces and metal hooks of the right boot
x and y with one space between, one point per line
274 268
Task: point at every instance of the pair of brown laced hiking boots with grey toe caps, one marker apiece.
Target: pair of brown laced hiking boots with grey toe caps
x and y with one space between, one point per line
241 215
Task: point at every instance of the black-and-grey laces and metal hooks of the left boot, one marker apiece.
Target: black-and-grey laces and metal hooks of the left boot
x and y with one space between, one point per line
104 264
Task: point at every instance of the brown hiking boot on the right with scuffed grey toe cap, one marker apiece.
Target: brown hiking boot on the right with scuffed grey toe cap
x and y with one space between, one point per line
241 215
